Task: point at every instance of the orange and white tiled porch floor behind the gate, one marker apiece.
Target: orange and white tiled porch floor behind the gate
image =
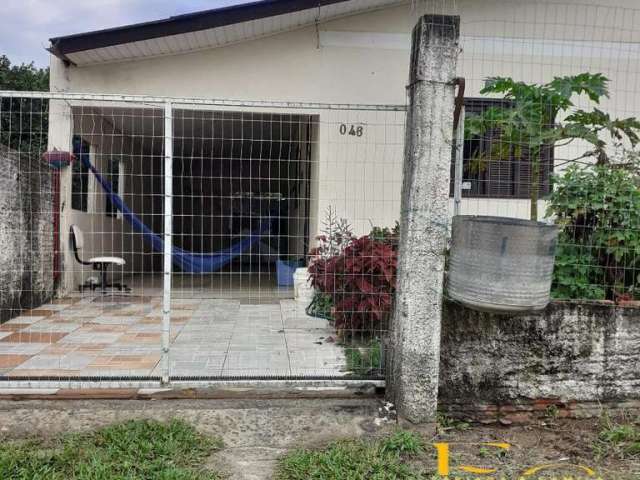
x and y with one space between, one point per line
121 336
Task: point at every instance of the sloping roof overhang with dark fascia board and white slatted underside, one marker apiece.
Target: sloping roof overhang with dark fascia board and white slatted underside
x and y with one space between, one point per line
205 29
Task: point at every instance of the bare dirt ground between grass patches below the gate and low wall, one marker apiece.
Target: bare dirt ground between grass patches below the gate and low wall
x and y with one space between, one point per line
258 432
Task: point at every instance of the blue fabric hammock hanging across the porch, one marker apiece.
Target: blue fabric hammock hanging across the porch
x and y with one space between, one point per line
187 261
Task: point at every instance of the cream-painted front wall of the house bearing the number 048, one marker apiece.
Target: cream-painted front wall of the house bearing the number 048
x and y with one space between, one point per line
335 63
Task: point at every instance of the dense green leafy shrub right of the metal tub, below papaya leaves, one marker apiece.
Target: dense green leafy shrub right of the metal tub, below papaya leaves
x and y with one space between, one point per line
597 209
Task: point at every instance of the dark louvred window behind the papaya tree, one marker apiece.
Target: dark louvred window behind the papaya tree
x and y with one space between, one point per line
498 178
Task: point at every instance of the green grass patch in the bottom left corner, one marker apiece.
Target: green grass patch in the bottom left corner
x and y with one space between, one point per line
134 450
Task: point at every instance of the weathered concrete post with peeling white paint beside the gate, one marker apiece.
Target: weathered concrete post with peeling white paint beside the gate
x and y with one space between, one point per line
415 358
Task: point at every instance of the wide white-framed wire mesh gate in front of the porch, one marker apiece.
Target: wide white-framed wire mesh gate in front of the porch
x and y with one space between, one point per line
181 240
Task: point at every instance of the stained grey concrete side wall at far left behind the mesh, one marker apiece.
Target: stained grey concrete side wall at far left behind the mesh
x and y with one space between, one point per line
26 233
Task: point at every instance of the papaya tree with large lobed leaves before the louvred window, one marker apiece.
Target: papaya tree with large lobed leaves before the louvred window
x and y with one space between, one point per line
527 121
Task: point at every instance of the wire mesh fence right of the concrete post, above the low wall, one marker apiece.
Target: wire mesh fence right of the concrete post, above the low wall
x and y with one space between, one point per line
551 131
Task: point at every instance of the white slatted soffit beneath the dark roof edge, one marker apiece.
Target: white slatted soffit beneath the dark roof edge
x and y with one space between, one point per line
226 35
